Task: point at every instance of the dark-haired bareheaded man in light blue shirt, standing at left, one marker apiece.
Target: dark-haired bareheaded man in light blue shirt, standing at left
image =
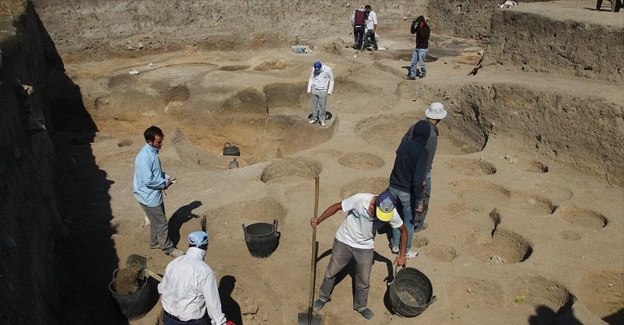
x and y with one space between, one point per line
148 185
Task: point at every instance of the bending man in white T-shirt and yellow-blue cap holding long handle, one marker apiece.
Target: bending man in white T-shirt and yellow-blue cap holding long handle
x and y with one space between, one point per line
355 239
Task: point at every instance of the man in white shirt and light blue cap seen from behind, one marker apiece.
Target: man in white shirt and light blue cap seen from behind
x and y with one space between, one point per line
189 288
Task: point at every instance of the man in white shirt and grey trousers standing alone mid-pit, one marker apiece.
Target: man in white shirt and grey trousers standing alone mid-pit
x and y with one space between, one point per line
320 85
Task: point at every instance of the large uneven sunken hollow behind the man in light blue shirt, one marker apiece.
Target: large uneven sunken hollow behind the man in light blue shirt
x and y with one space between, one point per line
265 120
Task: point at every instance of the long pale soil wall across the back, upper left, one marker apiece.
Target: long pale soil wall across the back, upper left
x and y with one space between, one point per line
99 29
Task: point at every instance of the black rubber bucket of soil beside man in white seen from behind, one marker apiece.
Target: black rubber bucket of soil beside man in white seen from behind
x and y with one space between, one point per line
136 304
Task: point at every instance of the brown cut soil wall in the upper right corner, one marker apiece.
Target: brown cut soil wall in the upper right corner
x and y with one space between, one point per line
559 47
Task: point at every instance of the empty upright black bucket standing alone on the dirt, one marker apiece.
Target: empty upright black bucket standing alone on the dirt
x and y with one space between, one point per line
261 238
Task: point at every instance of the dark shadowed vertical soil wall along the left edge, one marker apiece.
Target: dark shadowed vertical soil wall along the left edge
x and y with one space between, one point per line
29 221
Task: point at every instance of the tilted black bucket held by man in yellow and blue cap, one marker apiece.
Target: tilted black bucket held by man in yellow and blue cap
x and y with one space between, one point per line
410 293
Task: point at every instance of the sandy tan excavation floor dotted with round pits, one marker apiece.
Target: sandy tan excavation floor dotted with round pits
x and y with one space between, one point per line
555 256
